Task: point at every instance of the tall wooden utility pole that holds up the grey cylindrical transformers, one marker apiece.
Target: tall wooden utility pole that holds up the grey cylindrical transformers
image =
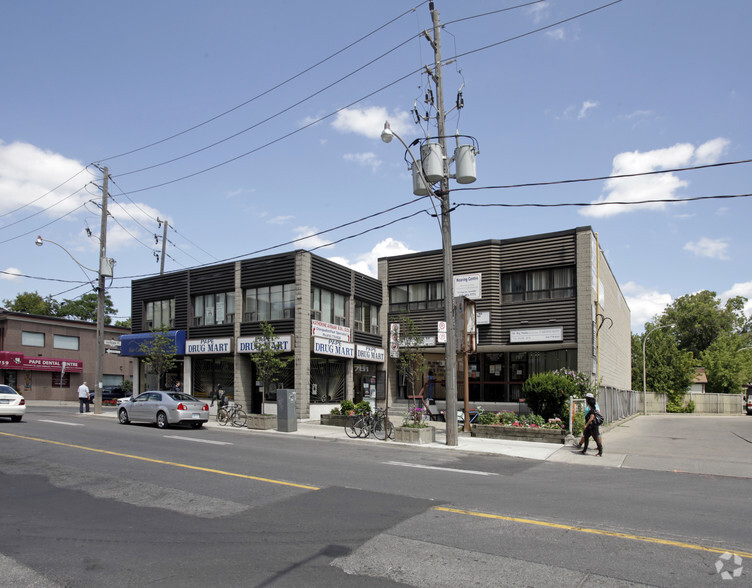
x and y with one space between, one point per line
450 381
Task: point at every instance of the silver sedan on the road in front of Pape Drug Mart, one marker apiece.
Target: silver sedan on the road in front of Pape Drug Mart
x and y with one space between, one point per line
164 408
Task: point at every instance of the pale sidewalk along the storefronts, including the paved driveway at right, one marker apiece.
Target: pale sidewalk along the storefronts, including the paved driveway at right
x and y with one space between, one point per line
696 444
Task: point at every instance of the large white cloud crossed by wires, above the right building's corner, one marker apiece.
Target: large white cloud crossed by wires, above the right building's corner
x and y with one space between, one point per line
653 187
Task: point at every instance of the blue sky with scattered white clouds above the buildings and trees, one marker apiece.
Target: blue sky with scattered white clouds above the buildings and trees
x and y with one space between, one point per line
254 128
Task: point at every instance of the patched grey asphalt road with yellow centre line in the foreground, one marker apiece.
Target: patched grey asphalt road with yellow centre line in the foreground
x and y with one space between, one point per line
86 501
